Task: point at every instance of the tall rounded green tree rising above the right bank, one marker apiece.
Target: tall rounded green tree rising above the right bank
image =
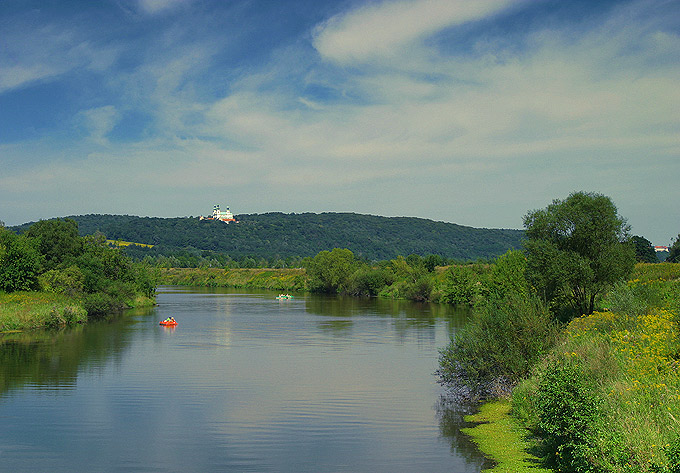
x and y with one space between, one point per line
576 249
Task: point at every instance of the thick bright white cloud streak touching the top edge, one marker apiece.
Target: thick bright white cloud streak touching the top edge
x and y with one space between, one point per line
383 29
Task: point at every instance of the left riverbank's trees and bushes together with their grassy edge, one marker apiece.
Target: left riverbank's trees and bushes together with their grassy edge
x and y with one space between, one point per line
50 276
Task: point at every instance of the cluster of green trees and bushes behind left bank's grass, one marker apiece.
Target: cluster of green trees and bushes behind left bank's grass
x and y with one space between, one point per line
85 269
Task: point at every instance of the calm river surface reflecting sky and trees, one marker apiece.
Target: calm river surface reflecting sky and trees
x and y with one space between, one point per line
244 383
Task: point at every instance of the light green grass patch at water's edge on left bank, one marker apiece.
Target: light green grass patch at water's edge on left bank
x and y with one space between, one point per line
31 310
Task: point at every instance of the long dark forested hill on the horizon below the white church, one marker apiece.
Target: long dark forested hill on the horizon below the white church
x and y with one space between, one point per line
282 235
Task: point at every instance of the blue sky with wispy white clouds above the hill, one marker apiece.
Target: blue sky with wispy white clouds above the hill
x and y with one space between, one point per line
472 112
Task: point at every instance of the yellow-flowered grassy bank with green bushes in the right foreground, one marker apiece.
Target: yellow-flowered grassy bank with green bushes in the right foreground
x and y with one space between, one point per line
625 361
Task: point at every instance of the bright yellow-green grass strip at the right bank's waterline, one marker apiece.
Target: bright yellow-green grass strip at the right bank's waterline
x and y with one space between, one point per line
501 438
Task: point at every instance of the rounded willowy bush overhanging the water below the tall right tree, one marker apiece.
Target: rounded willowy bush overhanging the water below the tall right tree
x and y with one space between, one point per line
499 346
